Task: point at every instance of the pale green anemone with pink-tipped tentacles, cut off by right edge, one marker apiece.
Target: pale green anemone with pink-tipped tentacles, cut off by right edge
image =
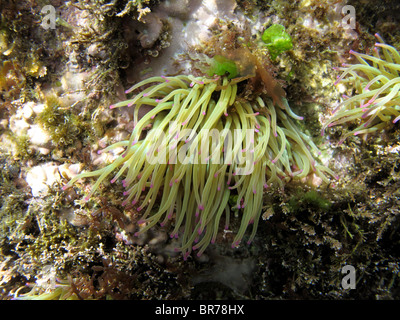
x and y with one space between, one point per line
376 80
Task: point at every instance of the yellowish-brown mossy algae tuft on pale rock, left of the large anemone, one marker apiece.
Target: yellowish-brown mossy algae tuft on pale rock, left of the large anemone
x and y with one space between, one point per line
63 126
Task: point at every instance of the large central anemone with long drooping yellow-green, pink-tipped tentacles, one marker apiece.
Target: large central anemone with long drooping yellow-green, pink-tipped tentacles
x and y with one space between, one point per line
205 144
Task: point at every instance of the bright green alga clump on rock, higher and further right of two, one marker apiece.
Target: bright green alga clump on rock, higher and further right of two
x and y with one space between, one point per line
277 40
